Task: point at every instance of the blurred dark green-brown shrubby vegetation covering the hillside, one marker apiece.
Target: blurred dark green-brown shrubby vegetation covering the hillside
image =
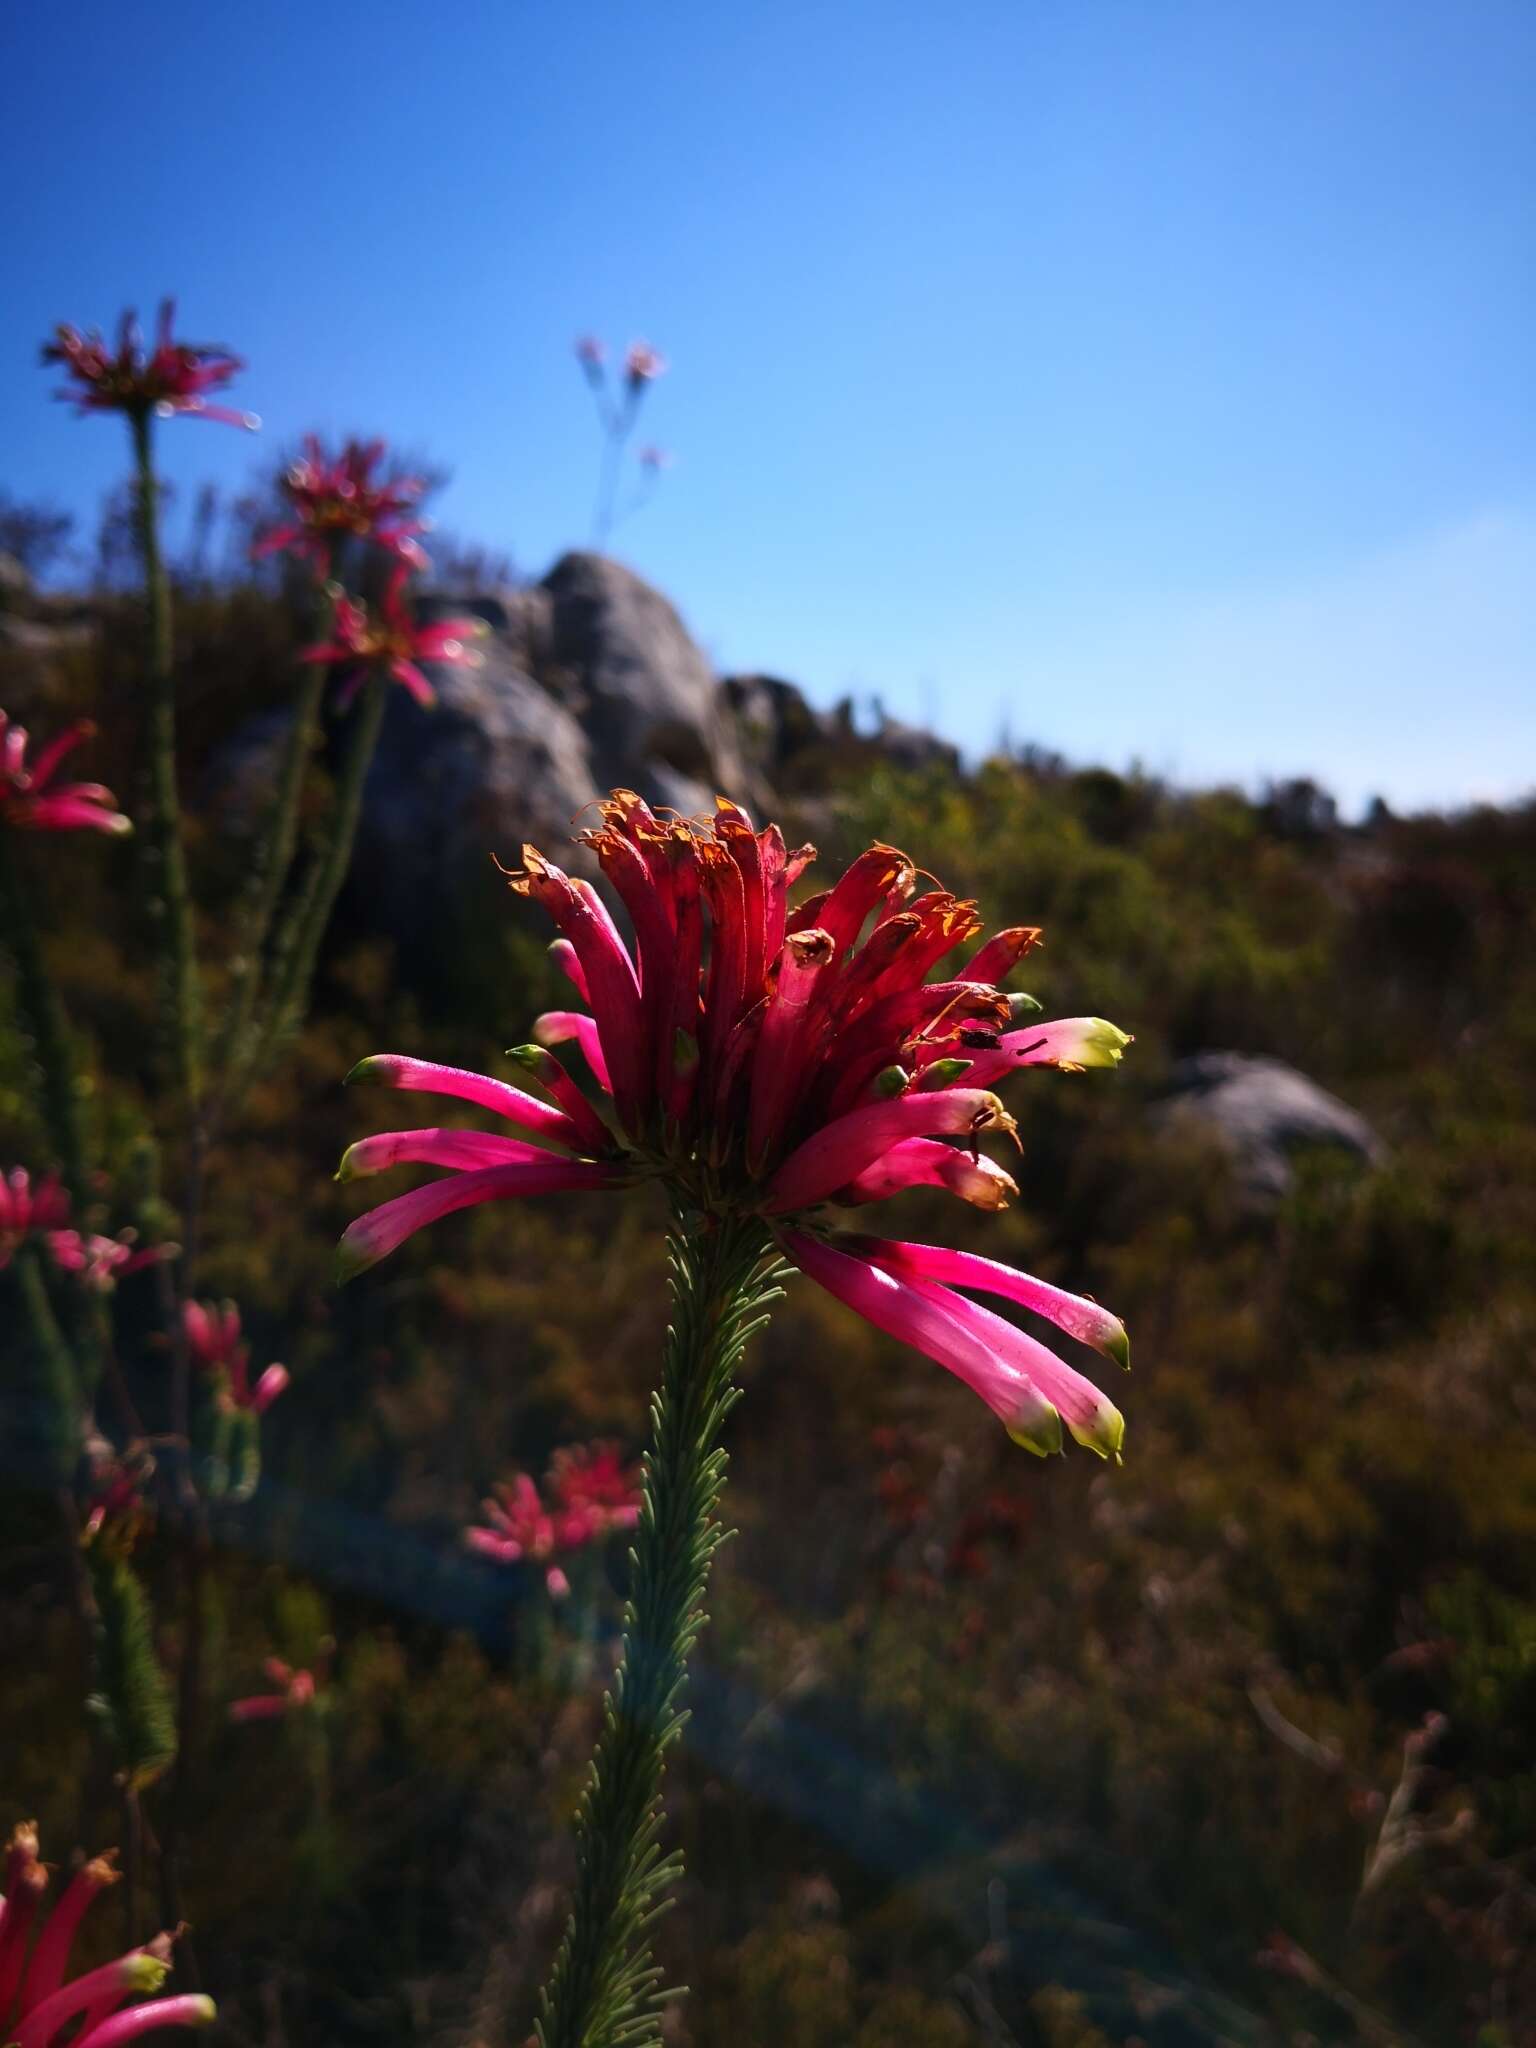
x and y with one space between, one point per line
1121 1762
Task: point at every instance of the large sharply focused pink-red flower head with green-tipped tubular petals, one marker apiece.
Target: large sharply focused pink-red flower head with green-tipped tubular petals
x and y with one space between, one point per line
769 1062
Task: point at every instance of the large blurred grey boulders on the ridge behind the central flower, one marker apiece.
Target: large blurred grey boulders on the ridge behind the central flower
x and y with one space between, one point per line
589 681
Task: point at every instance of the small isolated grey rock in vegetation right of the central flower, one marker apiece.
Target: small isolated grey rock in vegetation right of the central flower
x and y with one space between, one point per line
1263 1115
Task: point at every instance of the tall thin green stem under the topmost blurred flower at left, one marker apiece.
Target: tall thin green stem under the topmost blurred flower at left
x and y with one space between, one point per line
171 904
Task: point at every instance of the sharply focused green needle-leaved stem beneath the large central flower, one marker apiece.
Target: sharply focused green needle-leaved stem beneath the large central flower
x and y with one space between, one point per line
605 1990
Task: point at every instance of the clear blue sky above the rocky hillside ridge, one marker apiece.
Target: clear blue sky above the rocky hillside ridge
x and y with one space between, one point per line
1150 380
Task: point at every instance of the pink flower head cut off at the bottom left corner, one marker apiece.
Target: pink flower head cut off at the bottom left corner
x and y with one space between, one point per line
42 2002
